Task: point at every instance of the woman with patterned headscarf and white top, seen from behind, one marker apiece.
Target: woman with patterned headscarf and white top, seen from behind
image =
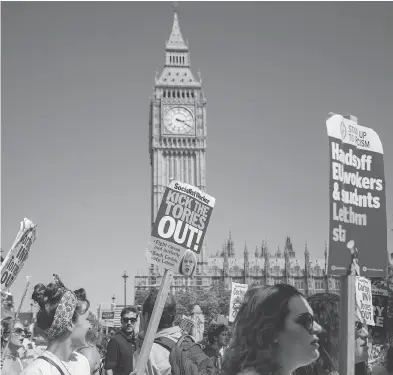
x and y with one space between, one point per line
63 317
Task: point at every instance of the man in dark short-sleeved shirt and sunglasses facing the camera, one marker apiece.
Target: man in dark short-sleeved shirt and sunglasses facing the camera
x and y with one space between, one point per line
121 348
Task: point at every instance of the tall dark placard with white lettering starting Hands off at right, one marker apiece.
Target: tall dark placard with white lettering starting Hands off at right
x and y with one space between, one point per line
358 228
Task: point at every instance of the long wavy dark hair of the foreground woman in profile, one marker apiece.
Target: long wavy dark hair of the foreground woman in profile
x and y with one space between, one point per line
260 318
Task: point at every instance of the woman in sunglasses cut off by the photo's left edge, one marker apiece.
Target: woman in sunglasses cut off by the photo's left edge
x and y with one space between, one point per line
12 364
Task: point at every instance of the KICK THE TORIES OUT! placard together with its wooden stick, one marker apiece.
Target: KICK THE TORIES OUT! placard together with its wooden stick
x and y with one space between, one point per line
179 229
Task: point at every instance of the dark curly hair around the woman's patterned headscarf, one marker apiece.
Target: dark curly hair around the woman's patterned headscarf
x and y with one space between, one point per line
48 298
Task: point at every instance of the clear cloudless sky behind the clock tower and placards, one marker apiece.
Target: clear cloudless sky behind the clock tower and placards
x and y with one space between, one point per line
76 82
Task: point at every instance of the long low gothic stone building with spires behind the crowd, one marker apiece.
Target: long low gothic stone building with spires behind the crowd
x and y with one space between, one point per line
255 267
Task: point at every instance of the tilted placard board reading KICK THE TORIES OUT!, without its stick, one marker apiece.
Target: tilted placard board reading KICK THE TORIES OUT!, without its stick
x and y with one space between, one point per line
180 225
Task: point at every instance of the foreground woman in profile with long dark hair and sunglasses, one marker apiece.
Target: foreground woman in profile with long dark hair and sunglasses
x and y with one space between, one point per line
274 333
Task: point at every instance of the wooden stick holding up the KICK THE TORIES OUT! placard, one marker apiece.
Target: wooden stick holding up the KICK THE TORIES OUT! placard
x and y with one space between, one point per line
154 321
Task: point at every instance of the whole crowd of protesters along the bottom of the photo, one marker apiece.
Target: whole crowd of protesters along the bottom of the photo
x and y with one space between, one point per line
276 331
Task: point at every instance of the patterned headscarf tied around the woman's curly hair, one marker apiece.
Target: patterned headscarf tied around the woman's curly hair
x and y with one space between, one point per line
64 312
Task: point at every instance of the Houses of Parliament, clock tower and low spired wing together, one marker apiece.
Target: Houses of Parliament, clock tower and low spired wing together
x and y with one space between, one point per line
177 148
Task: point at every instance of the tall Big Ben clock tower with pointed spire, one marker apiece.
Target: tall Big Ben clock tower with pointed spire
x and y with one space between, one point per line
177 124
